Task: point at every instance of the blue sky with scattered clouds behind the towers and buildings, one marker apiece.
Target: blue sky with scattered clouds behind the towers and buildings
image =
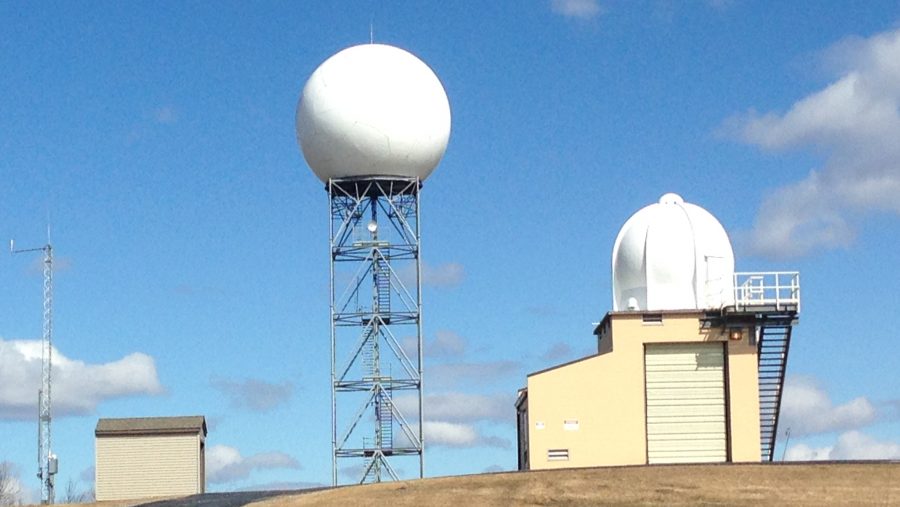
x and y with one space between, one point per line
191 237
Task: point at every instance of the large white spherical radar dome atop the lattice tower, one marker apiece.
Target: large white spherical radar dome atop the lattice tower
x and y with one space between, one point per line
373 110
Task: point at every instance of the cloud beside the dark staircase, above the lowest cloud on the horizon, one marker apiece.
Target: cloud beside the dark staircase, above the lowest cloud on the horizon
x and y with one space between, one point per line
806 409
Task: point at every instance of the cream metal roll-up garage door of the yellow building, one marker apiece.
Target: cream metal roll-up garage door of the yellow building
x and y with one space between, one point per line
685 403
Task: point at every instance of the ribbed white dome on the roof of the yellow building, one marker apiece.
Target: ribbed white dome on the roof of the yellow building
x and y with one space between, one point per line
672 255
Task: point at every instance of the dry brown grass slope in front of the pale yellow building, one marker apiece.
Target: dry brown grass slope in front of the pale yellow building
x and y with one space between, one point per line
789 484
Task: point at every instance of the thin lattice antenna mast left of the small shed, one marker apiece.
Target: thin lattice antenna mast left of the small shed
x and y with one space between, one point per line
47 463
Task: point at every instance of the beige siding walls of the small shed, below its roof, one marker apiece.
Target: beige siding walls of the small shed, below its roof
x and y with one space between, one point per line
140 466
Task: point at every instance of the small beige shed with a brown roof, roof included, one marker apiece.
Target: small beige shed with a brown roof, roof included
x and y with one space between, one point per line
150 457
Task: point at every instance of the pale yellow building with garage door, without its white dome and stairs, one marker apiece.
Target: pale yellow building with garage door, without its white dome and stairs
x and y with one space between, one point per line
664 387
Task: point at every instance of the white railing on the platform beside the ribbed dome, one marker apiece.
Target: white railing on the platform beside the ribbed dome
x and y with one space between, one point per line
777 289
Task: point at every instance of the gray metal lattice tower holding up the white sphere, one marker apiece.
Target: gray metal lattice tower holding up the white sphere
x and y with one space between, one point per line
376 308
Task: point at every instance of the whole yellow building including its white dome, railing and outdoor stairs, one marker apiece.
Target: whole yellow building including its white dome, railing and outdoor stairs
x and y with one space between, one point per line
689 364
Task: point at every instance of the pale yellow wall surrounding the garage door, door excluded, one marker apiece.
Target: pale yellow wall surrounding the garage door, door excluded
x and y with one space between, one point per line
605 394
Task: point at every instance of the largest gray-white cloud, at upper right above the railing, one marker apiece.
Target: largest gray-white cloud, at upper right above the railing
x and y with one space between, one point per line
852 122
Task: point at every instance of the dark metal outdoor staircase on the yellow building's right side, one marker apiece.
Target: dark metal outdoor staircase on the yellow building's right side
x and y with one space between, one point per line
774 343
